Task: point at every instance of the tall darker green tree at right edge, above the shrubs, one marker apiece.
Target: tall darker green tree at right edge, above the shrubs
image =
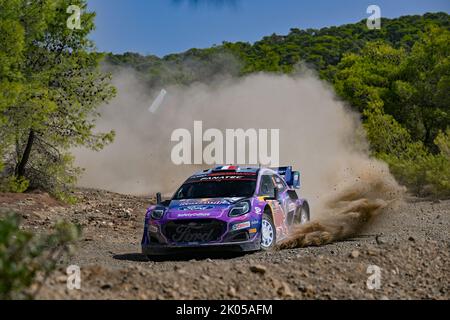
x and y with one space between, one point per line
423 88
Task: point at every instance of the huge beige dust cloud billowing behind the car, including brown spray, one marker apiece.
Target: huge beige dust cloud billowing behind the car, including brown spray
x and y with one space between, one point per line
319 136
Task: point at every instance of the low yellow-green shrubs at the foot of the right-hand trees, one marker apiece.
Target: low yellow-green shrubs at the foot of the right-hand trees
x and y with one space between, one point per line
424 173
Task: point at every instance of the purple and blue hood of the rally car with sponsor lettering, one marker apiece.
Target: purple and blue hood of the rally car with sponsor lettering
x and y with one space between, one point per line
200 208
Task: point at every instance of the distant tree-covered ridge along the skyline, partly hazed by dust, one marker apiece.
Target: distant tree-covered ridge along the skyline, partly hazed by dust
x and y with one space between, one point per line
321 49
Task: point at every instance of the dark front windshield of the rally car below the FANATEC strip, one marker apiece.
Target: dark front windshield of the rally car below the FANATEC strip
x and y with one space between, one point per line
219 188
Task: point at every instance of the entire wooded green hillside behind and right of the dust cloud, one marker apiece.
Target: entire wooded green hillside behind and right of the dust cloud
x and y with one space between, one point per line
397 78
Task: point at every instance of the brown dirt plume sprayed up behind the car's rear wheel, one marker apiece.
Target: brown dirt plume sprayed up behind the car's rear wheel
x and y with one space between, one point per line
350 208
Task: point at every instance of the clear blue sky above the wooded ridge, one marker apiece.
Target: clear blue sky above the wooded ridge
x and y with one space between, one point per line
161 27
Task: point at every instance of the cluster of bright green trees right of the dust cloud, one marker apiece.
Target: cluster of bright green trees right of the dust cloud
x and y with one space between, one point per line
403 97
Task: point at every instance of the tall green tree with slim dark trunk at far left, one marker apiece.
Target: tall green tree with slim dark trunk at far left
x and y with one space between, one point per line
62 86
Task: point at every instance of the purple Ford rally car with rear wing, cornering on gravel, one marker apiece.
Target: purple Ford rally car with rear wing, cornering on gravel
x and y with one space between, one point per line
226 208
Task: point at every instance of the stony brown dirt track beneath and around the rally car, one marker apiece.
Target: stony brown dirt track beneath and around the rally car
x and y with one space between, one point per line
409 244
